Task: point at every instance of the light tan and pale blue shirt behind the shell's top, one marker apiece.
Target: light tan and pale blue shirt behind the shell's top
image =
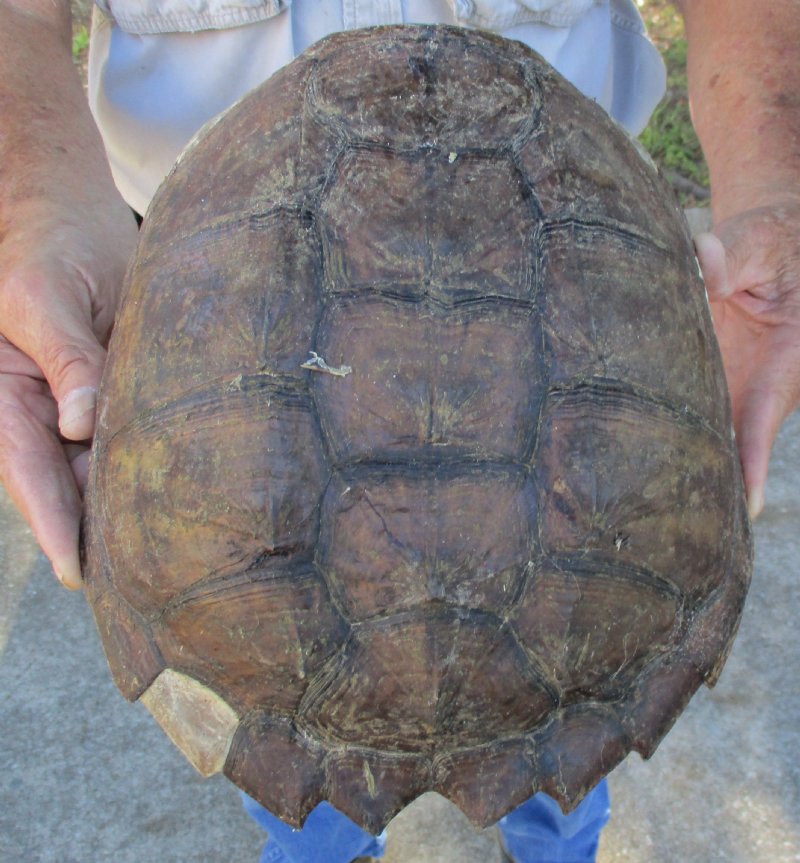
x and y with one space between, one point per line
153 81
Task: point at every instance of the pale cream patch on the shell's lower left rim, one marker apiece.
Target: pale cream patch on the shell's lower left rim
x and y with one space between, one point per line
195 718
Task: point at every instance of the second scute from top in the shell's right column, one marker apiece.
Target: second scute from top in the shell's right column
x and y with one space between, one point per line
593 315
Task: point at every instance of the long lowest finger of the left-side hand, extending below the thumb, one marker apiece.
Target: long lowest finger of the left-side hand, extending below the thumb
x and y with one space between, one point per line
35 471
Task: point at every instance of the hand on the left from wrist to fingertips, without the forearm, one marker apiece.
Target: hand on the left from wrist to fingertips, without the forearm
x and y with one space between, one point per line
60 279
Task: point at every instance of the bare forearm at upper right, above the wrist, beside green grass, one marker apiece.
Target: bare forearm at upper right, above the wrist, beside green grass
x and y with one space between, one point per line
744 85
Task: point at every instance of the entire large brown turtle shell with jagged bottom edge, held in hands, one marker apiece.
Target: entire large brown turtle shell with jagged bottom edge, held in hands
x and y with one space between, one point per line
498 540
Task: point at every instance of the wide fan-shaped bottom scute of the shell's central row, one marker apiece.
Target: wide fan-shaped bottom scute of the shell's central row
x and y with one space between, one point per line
419 684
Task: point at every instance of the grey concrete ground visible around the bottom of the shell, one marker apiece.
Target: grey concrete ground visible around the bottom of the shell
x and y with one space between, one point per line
87 778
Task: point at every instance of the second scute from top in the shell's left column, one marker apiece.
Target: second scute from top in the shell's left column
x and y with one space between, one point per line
254 279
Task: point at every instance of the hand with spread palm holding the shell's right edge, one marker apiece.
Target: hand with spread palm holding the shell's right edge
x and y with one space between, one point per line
751 264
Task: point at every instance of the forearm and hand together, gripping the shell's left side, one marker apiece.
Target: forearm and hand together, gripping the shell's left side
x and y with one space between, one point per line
65 239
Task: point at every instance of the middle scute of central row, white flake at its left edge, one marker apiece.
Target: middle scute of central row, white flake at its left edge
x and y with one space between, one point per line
459 382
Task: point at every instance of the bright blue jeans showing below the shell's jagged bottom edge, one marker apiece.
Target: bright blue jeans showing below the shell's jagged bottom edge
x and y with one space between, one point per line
535 832
